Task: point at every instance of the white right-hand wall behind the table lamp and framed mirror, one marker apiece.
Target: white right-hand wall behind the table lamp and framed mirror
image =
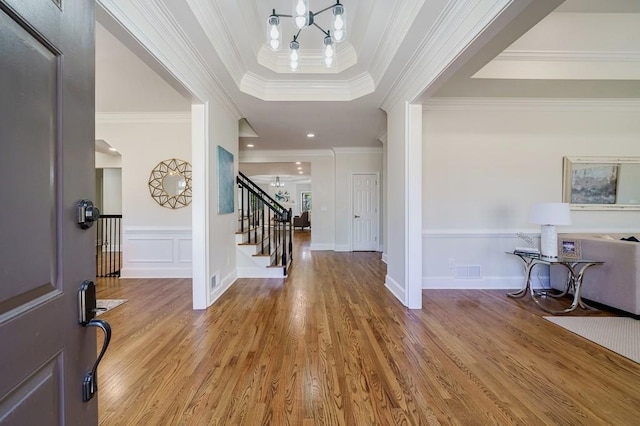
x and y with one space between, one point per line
486 162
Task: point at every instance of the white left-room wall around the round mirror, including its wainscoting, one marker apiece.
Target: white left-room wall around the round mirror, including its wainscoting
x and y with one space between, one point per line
156 240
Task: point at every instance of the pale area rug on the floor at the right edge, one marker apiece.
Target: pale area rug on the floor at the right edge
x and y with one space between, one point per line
621 335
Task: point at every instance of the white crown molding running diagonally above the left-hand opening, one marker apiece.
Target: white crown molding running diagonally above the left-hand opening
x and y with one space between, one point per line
153 26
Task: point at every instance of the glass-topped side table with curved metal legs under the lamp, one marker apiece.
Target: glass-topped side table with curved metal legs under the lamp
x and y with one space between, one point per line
576 269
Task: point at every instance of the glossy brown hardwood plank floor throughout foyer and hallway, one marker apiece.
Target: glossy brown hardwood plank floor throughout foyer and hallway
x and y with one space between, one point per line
331 346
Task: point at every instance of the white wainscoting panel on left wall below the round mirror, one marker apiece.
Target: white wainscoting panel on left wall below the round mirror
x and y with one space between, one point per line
156 252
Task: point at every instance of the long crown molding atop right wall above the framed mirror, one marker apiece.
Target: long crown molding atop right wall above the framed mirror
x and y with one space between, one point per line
531 104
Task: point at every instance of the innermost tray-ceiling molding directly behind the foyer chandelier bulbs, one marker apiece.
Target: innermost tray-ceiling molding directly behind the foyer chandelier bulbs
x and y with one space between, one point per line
311 60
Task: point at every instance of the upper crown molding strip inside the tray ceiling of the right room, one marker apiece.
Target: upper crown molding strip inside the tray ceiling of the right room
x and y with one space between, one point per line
567 56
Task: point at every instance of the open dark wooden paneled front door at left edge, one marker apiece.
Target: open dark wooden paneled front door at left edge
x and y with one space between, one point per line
46 166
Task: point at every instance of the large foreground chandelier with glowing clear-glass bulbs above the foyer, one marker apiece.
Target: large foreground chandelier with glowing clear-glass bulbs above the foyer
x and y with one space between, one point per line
303 17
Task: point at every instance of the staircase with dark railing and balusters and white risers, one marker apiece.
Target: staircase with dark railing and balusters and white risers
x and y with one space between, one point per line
264 236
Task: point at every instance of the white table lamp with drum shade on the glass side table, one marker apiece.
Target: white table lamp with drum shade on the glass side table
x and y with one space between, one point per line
548 215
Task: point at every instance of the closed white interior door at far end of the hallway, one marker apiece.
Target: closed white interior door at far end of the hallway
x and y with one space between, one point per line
365 212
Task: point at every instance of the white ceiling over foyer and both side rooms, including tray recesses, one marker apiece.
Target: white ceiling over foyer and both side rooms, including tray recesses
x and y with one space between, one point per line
600 39
